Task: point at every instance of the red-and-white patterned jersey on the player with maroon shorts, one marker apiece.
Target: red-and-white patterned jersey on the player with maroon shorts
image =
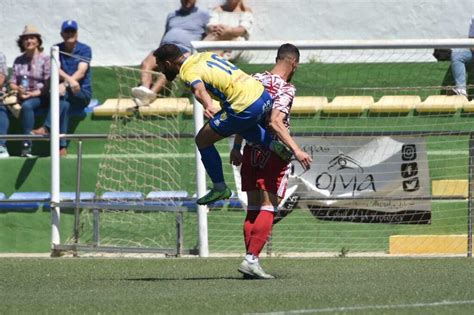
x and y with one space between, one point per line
282 93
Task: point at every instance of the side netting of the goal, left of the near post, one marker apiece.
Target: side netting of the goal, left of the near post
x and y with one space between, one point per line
144 176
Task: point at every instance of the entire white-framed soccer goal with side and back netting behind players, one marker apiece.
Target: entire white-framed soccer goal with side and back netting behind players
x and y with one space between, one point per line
391 147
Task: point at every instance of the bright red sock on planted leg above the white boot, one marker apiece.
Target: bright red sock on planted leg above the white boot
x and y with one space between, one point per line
260 232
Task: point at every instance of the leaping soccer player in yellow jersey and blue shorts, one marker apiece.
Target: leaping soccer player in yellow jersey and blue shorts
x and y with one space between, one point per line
244 105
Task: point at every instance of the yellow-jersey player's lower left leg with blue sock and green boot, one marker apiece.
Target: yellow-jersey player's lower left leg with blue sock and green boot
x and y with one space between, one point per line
211 159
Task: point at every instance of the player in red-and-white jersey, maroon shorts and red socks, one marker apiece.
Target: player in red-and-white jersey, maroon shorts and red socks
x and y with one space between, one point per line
264 175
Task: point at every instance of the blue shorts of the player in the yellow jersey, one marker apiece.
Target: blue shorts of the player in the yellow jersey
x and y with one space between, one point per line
227 123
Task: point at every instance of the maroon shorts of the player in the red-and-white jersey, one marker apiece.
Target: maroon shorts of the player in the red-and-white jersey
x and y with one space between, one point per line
262 169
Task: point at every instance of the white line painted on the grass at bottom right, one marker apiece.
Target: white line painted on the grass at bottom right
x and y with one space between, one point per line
367 307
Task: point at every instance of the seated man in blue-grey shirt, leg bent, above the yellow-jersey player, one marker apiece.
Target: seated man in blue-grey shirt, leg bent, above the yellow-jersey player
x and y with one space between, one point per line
184 25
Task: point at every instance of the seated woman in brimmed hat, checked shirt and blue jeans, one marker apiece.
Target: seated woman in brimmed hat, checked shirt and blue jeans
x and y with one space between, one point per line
30 78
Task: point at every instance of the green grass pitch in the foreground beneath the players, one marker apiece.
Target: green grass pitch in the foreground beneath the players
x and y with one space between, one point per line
213 286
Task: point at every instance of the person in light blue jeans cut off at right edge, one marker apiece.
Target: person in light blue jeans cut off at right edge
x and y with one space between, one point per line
460 58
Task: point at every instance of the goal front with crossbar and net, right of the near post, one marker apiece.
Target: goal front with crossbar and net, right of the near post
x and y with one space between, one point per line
390 143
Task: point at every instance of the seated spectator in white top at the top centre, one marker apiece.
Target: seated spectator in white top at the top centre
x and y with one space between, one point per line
231 21
